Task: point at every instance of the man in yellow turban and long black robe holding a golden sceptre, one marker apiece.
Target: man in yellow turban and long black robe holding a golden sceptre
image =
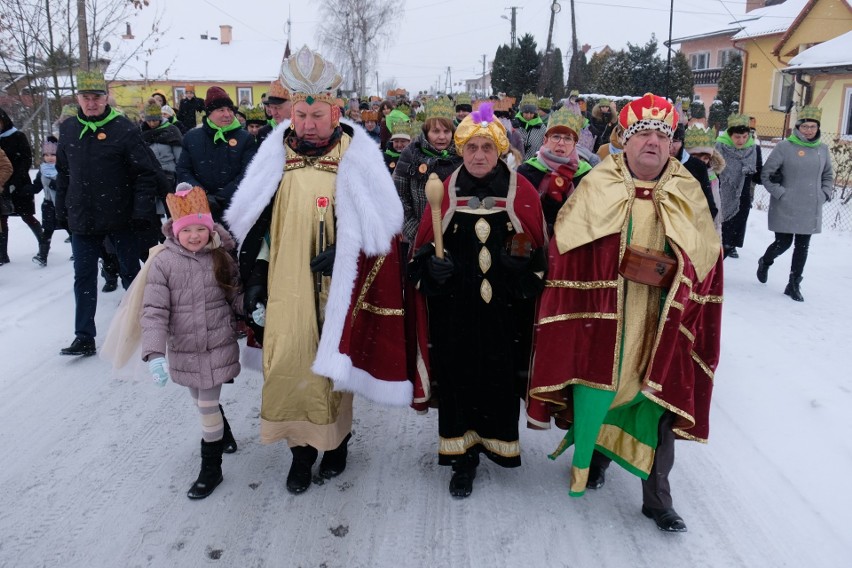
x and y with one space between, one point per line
475 340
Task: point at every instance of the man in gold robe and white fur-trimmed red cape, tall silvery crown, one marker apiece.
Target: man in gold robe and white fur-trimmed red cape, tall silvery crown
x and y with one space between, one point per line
316 218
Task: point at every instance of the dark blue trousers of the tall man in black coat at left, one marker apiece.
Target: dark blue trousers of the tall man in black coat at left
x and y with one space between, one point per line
87 250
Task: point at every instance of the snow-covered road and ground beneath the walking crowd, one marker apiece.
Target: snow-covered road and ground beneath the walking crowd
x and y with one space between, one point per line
95 469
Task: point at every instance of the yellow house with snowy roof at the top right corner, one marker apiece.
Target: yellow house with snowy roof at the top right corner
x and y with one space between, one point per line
770 40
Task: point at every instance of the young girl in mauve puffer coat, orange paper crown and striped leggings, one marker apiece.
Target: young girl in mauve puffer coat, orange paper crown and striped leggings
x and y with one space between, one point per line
191 295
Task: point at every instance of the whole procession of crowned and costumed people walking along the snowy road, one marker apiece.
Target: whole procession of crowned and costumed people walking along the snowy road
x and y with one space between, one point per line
477 257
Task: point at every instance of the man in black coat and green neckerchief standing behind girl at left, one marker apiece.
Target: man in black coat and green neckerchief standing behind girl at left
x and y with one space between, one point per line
105 186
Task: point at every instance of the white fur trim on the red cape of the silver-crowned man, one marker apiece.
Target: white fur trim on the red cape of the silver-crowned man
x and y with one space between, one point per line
369 215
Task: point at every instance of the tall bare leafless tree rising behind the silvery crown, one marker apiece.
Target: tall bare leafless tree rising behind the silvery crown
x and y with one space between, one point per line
354 33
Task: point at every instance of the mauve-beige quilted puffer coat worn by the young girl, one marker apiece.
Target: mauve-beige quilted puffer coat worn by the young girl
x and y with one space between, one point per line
185 311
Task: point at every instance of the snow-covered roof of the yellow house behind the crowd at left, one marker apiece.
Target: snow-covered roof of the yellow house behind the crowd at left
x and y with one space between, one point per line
196 60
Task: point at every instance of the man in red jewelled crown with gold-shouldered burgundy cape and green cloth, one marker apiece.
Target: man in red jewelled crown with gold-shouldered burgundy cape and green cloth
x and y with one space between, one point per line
624 354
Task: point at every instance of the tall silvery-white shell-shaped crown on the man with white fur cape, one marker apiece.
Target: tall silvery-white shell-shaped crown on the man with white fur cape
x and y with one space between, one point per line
310 77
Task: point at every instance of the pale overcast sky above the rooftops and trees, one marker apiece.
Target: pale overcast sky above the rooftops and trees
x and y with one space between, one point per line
435 34
